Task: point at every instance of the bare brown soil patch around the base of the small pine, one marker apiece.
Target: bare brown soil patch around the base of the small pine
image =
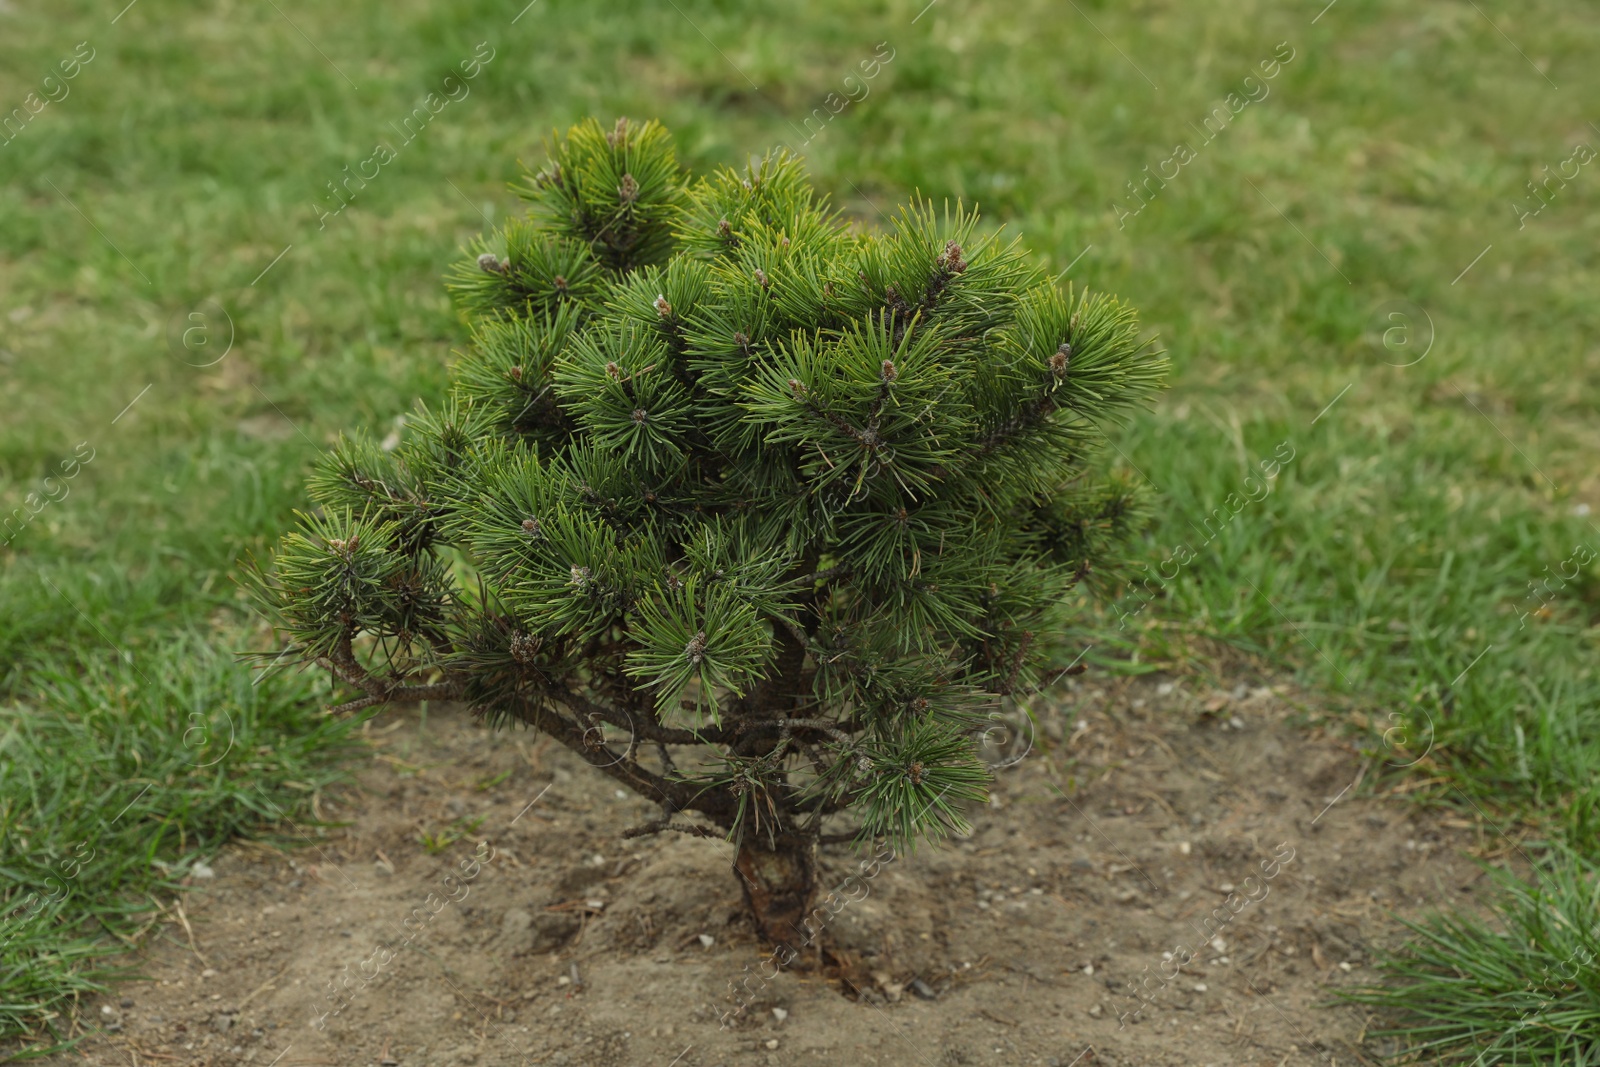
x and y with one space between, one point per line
1193 823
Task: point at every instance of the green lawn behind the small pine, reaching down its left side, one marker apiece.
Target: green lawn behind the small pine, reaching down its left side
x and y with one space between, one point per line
1391 562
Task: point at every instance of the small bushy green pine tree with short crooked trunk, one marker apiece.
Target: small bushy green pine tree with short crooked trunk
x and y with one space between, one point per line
756 513
